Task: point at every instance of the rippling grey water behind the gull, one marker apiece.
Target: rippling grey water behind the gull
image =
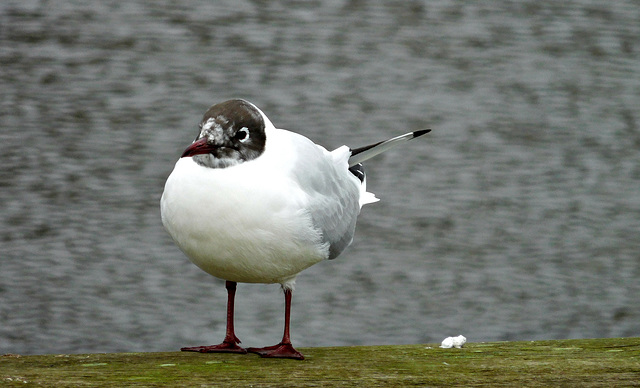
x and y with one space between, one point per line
517 218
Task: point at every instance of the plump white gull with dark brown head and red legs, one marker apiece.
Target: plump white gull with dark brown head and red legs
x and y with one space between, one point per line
249 203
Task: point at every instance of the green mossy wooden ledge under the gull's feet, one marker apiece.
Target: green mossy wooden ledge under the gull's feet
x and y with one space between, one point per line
586 362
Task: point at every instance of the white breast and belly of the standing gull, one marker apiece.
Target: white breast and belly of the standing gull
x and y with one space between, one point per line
230 231
